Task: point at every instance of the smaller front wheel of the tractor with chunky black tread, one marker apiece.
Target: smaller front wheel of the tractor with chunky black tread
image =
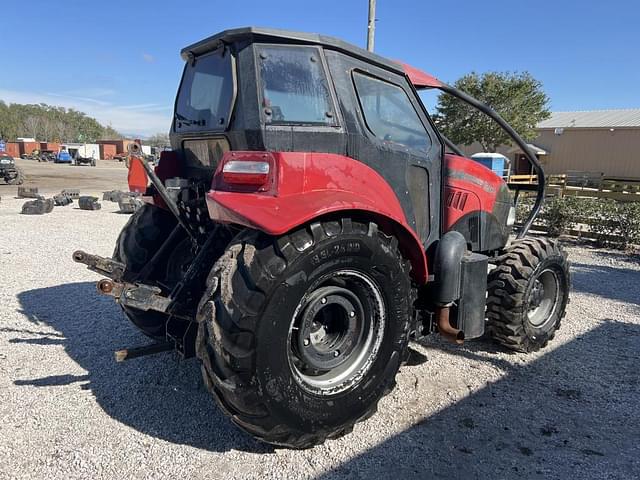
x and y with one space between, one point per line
528 292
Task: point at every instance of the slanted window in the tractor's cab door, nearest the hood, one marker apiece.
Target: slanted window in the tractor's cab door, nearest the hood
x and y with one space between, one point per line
389 114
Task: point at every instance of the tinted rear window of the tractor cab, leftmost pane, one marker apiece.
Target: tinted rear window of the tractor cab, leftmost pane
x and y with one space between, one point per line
206 93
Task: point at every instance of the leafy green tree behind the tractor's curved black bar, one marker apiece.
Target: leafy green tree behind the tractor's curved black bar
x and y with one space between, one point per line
517 97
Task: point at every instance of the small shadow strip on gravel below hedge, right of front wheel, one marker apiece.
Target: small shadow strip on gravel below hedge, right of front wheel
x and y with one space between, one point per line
616 283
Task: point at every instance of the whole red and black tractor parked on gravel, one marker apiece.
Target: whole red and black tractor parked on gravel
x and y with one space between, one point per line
309 222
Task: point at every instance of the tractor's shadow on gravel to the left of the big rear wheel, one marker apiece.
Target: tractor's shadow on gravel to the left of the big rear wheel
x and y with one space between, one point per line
156 395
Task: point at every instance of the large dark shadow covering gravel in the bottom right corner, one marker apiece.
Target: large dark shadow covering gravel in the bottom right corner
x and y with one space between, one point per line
570 414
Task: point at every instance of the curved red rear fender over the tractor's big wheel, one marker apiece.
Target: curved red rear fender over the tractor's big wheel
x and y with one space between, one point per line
308 186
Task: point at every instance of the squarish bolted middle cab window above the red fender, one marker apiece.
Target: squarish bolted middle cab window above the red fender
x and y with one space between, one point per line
294 86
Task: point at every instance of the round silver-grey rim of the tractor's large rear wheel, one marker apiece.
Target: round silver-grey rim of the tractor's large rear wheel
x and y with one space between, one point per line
336 332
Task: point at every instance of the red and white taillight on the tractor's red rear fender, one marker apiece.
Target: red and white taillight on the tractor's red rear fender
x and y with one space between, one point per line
246 172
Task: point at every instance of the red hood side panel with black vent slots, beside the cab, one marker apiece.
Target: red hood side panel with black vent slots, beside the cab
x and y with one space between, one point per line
469 186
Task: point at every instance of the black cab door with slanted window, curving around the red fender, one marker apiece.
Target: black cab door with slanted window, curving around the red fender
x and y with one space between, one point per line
389 130
